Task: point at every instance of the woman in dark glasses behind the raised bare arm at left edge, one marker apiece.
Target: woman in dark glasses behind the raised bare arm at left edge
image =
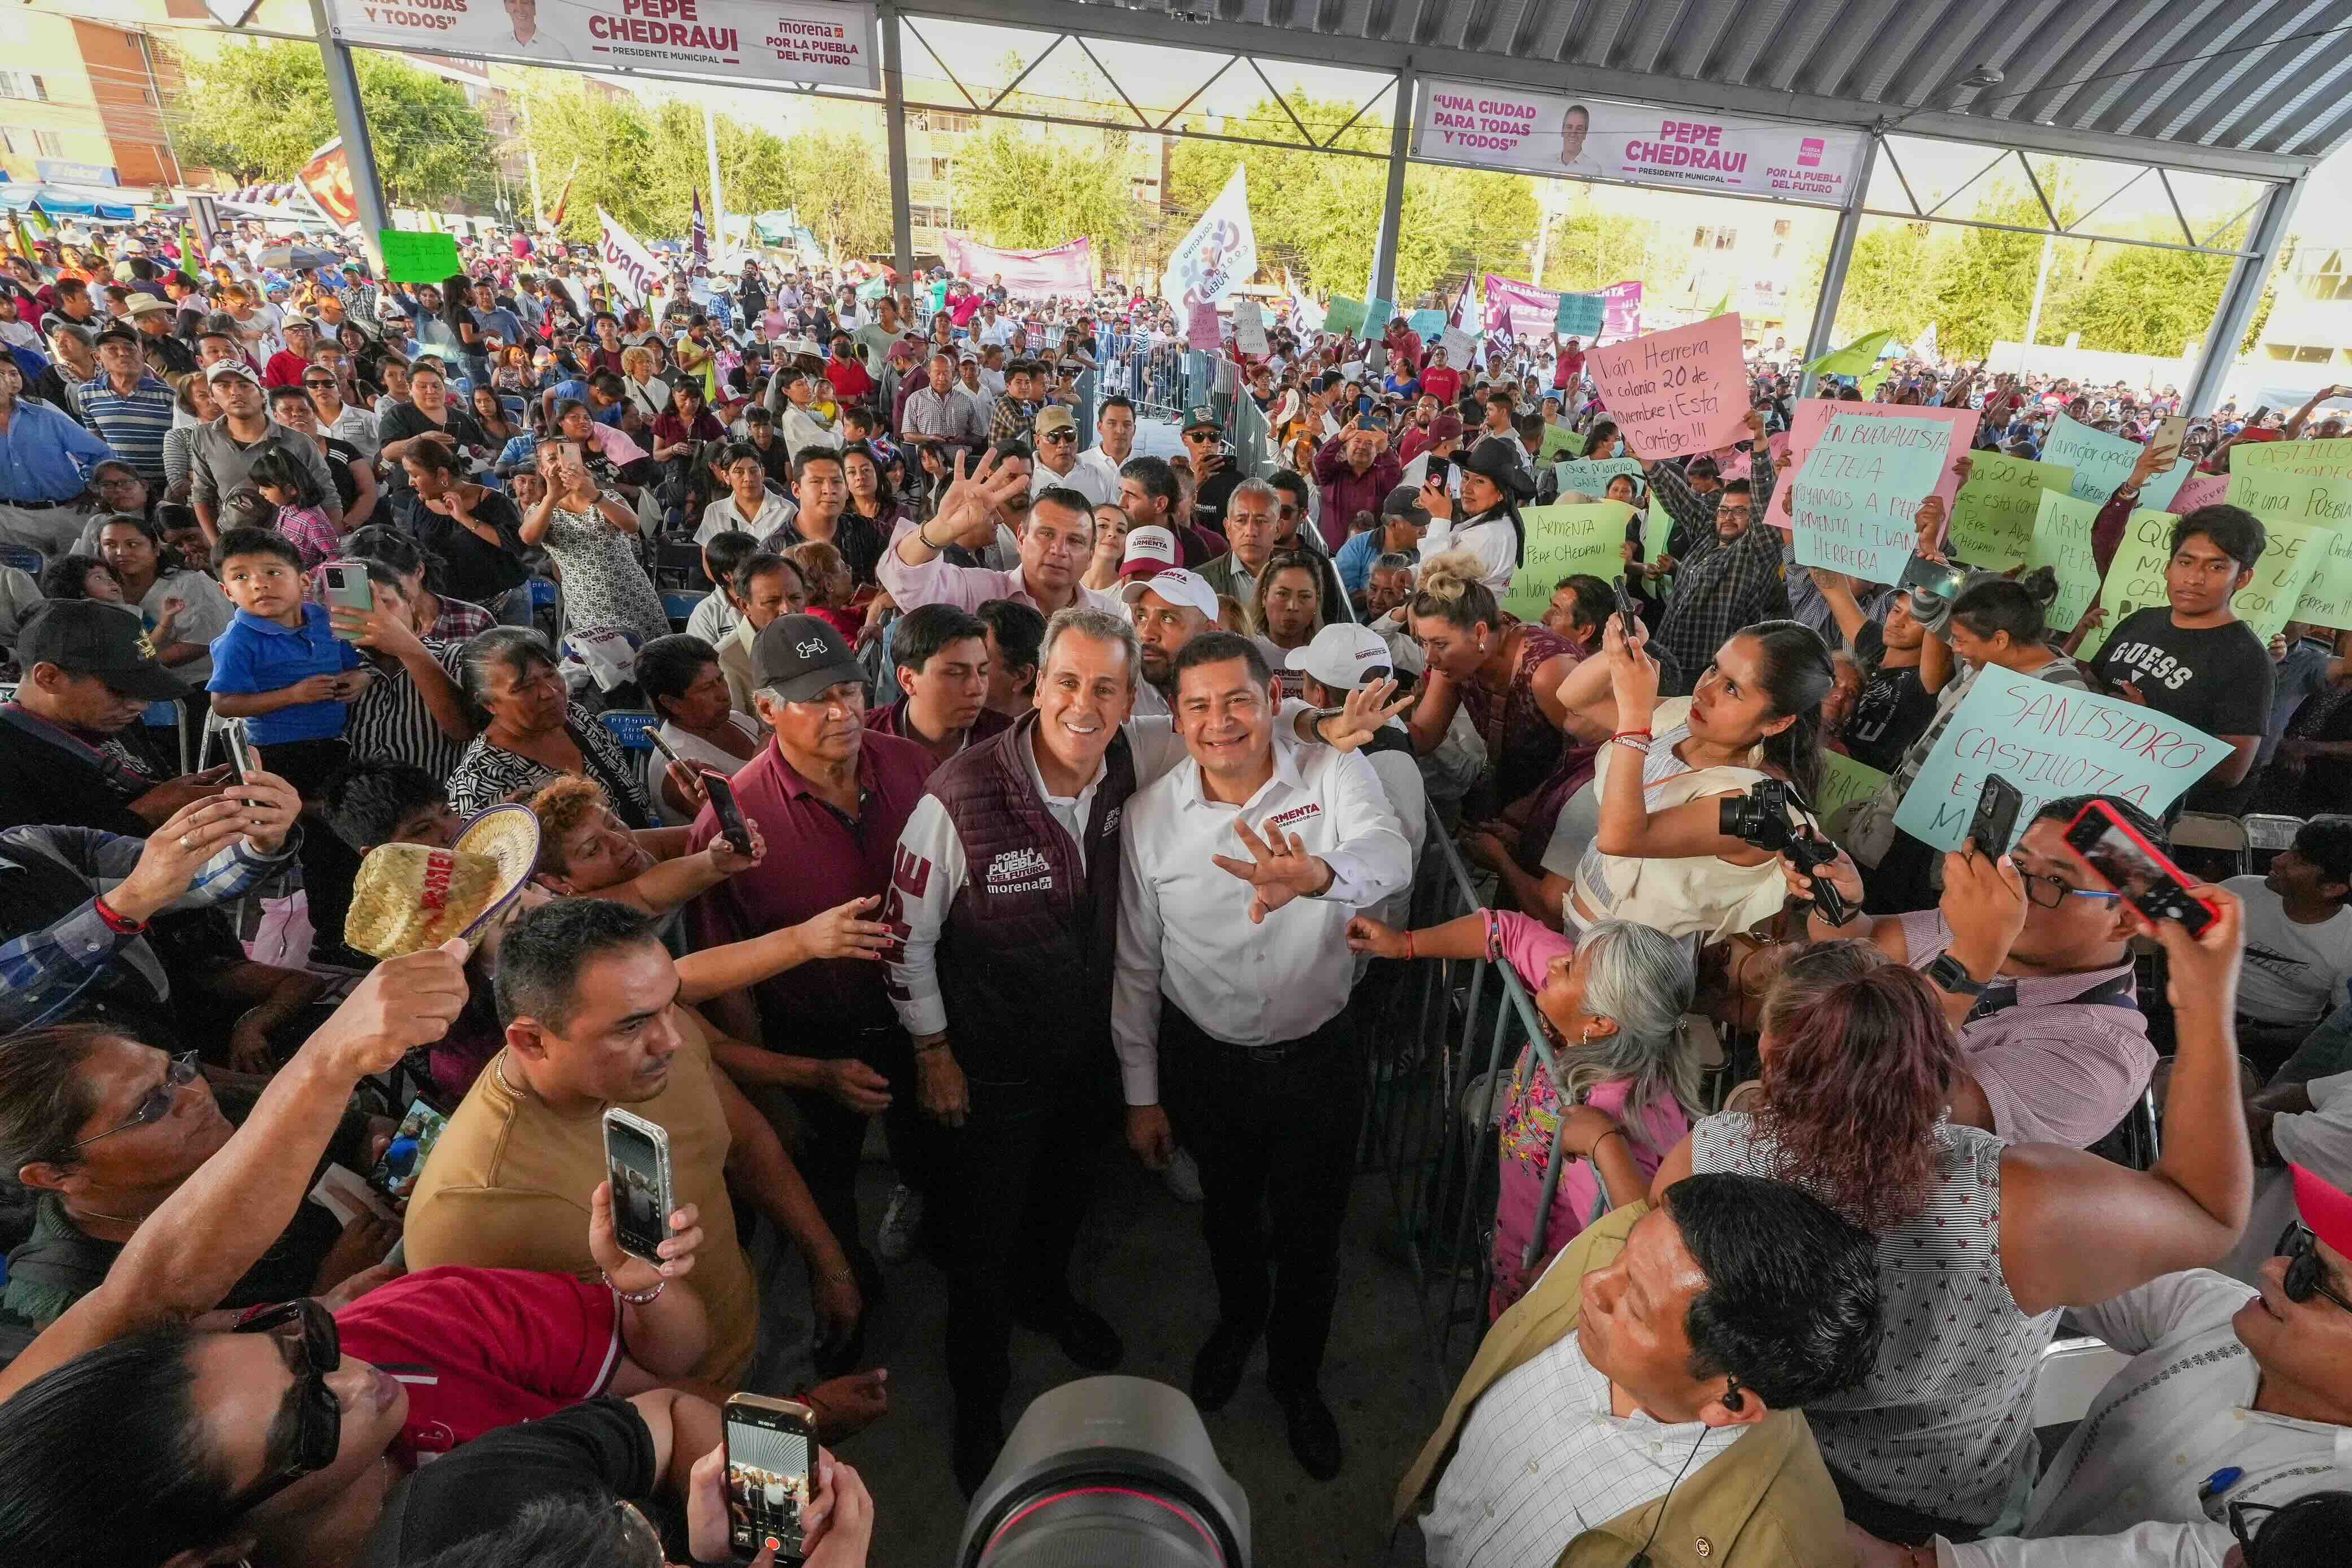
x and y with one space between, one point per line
105 1130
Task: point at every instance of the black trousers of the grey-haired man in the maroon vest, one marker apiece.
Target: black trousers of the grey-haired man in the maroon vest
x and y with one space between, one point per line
1017 1184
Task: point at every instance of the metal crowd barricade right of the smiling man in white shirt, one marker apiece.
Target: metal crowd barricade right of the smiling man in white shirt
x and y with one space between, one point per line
1450 1026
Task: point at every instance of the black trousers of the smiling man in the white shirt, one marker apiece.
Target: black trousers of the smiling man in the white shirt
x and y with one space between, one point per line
1276 1148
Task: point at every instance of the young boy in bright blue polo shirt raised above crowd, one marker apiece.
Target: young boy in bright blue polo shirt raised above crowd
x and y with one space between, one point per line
283 674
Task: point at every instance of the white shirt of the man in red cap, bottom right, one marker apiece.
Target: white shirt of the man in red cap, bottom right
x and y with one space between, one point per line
2125 1489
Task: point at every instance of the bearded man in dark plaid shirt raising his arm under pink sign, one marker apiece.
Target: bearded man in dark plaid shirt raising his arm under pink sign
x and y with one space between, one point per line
1735 570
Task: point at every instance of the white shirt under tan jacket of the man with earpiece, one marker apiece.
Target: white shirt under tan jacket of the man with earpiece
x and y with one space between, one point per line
1544 1459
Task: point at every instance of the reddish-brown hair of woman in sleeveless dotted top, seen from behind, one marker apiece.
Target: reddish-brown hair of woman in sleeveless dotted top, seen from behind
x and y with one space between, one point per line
1857 1078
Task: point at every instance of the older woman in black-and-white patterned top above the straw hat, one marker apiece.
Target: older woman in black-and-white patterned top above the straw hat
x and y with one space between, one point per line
530 730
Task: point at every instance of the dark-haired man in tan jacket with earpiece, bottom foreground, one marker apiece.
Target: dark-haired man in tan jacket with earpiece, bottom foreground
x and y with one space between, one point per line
1648 1395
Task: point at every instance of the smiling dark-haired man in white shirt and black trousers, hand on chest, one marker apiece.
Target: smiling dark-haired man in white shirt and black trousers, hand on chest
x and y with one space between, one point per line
1234 977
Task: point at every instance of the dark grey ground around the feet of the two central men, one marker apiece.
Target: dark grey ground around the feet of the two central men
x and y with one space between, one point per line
1144 1266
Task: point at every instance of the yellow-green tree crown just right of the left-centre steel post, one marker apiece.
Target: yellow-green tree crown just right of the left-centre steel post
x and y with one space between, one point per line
1031 192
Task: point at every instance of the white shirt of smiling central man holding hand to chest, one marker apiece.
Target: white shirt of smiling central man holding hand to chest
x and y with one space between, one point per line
1184 925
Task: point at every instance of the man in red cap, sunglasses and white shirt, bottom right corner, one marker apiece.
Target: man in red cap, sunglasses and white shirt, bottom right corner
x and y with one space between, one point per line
2231 1395
